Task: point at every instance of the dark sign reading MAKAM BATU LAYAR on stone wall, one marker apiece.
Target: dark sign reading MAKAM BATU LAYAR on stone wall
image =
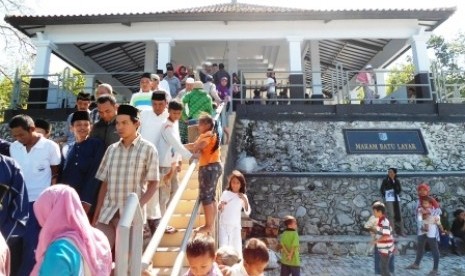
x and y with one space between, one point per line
384 141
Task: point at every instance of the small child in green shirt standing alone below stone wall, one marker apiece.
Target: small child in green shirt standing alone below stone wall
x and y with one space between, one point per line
289 241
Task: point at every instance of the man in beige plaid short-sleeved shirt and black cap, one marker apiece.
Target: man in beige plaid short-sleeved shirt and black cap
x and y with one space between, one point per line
129 166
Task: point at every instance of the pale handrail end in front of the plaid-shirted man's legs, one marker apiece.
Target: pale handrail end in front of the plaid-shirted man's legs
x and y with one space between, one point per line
129 238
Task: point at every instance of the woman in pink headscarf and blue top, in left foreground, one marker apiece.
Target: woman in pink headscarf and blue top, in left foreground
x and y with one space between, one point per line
68 244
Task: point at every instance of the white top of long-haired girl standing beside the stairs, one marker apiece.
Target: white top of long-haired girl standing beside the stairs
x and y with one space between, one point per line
231 213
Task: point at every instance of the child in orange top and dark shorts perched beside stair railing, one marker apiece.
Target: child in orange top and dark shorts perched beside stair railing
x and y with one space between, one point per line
210 169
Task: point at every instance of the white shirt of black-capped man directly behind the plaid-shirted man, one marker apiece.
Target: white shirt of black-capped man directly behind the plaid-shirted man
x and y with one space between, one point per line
150 125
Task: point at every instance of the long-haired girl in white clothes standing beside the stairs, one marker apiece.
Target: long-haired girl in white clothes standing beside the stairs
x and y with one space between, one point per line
232 201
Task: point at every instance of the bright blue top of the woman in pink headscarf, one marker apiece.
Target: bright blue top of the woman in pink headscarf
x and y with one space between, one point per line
62 258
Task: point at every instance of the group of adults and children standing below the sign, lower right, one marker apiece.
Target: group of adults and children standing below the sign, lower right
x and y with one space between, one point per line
431 220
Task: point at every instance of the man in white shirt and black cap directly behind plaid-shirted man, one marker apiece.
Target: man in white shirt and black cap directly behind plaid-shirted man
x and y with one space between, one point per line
150 129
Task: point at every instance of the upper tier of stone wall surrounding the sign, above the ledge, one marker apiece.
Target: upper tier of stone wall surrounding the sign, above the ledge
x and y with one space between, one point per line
319 146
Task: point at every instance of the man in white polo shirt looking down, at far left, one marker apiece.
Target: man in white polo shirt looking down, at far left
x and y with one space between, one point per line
38 159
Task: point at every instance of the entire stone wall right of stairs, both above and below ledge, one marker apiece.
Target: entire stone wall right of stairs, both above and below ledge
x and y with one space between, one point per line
338 205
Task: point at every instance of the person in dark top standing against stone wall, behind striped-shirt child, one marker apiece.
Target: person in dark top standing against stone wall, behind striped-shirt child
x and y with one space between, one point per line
390 191
